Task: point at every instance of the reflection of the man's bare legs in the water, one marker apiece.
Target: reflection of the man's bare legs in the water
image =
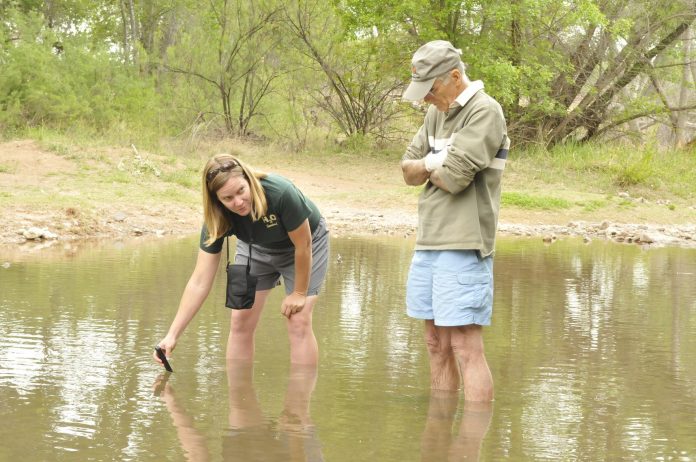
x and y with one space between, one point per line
438 444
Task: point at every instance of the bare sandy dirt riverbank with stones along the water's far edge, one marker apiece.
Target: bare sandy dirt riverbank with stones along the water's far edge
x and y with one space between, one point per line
51 197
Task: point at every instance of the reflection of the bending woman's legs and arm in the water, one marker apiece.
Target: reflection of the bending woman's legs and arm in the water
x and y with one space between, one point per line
251 436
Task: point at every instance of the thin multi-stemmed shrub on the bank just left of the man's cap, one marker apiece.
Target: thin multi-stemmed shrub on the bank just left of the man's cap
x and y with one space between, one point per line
360 69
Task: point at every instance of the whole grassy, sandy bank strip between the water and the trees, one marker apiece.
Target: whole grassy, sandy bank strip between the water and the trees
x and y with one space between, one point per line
589 182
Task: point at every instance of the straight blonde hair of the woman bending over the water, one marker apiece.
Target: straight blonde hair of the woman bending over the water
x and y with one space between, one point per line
216 172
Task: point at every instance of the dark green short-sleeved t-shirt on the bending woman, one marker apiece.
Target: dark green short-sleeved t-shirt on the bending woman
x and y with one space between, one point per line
288 208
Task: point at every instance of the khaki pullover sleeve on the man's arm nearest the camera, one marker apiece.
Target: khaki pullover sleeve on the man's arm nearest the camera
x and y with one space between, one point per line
473 147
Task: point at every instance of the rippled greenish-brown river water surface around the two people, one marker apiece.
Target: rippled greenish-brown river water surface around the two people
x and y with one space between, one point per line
593 345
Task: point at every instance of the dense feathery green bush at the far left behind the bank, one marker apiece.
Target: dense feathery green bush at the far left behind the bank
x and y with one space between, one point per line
75 83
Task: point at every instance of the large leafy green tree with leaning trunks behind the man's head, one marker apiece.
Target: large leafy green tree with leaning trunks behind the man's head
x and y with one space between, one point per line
559 67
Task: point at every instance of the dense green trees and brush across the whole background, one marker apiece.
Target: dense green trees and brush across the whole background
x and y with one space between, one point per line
305 71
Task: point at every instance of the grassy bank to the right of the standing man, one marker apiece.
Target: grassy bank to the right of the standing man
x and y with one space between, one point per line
619 182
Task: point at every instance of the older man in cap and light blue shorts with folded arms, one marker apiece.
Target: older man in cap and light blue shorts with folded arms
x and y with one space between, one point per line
459 153
